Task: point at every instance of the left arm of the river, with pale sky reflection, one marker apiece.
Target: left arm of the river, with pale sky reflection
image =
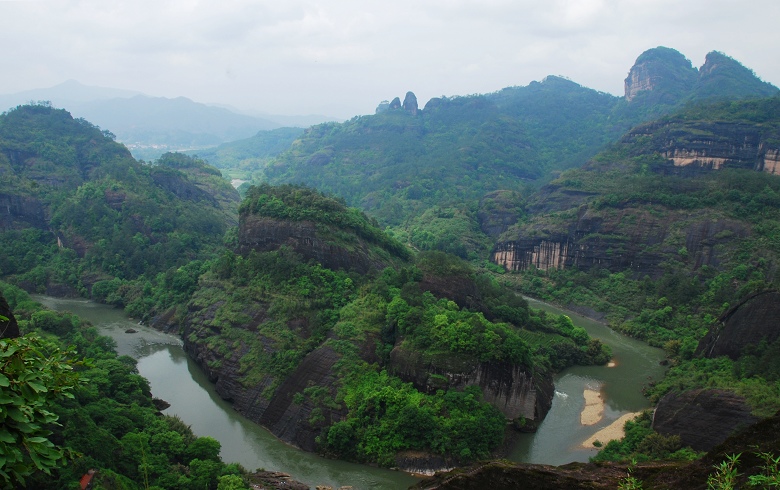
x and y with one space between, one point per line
176 378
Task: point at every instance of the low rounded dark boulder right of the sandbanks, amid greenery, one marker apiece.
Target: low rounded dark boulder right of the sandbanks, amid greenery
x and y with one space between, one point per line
702 418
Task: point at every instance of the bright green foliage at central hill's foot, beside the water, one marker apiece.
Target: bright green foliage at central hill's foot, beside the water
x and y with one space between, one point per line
387 416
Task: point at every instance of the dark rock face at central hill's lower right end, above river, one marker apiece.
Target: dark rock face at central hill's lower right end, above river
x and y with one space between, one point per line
514 390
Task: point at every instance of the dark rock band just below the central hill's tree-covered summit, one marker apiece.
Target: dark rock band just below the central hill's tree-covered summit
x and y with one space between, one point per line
305 238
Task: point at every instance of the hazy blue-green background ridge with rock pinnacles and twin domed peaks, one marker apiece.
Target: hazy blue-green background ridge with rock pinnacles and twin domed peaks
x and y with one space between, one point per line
428 173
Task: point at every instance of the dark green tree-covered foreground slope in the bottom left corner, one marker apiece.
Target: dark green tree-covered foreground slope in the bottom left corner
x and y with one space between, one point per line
108 422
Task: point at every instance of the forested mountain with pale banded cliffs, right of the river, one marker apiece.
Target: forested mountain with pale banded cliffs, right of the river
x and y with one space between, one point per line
672 232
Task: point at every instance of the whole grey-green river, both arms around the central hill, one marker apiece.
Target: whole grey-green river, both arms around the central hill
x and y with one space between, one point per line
175 378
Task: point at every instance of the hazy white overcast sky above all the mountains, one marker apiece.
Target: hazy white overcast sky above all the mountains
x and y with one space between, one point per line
342 57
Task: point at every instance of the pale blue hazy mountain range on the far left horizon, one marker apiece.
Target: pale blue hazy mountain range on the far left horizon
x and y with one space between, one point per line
150 126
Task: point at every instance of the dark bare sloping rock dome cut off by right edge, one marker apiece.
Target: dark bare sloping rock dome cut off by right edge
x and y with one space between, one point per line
755 319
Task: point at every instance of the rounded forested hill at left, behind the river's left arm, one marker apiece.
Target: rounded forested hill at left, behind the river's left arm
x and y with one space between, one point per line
81 210
